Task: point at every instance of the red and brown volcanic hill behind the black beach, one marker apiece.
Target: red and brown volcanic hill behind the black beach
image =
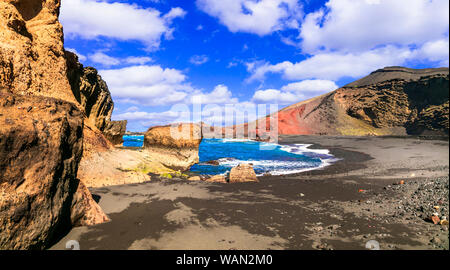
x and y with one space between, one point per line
389 101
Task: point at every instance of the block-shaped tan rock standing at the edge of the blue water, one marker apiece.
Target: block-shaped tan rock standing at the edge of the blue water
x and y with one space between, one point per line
174 146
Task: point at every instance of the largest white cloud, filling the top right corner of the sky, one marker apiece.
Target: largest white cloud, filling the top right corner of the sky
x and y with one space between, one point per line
352 26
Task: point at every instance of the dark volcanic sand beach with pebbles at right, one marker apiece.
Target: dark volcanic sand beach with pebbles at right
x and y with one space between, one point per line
342 206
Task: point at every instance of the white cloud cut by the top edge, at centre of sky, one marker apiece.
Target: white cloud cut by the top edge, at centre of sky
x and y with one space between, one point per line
257 17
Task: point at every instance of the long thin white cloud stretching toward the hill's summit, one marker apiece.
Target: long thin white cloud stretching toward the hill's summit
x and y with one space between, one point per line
333 66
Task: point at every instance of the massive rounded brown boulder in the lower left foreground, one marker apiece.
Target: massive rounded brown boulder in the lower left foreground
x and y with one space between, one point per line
41 142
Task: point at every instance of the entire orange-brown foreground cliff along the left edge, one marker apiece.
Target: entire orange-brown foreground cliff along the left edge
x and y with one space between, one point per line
41 131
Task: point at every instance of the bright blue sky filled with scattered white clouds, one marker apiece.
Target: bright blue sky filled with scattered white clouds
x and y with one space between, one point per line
170 61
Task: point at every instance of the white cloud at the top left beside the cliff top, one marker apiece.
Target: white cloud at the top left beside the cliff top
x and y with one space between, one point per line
91 19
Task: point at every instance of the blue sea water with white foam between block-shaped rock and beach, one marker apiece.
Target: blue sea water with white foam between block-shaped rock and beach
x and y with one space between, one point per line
265 157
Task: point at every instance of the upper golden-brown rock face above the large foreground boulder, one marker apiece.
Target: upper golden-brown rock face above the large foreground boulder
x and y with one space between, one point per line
32 59
